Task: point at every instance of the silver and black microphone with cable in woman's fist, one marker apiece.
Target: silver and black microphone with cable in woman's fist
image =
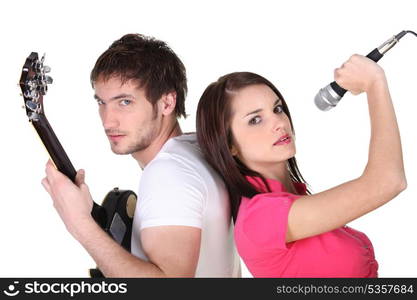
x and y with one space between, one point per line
329 96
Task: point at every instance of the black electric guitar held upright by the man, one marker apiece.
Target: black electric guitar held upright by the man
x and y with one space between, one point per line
115 214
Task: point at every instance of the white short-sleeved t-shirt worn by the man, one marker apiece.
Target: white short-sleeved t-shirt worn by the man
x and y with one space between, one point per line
178 187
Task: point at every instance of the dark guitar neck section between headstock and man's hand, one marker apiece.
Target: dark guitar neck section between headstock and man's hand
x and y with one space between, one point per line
54 147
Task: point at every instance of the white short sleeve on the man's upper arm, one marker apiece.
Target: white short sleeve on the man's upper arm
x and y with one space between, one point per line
170 193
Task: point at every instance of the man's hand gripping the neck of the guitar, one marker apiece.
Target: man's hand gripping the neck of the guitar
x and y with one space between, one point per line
73 202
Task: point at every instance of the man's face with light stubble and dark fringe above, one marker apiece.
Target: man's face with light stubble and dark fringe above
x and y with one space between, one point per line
129 119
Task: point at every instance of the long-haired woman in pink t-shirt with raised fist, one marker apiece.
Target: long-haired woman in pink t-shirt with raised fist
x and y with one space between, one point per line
246 133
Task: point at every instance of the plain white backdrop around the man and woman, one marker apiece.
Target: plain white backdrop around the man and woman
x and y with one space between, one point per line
295 44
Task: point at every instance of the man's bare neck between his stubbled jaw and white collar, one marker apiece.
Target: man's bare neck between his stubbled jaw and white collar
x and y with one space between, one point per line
145 156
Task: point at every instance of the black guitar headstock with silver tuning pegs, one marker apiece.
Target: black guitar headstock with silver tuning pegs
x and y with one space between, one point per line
34 85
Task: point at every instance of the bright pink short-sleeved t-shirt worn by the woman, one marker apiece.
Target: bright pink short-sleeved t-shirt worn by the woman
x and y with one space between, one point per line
260 232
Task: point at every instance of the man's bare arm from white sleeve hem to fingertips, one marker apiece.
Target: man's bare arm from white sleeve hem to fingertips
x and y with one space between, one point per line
173 250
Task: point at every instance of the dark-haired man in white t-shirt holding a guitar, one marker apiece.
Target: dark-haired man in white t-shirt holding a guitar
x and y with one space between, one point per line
182 225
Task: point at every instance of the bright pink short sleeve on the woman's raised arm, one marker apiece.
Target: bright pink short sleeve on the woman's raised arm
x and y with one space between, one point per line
262 222
